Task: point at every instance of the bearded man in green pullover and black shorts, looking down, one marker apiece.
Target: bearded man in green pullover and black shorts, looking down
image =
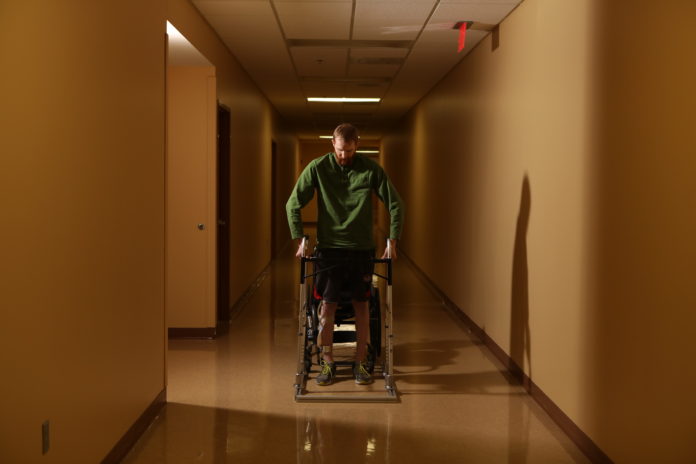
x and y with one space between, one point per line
344 182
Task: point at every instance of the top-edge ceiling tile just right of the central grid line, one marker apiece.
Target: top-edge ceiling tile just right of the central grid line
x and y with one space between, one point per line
386 20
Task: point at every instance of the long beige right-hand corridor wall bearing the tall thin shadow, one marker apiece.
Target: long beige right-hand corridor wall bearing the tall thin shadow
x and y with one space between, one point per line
549 196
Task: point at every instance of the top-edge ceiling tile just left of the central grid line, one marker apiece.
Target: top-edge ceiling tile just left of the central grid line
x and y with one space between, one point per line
314 20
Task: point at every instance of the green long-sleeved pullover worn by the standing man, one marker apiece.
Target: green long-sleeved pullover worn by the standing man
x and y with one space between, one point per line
344 202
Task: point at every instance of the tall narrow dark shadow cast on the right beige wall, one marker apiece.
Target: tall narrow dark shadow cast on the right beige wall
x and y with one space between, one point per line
520 340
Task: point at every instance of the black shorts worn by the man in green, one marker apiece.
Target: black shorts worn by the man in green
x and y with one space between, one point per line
343 273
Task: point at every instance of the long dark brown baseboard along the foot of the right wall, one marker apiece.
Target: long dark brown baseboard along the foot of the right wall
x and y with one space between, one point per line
565 423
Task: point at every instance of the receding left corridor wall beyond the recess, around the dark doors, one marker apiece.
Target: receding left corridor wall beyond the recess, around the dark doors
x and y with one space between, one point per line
254 125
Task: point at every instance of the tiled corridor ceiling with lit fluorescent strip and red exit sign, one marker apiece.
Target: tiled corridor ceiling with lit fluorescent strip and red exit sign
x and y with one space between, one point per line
396 50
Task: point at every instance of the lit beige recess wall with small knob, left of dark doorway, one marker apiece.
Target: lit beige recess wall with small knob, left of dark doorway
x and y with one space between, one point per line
191 197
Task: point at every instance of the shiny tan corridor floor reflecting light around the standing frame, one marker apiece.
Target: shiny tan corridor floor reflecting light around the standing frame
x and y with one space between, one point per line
231 400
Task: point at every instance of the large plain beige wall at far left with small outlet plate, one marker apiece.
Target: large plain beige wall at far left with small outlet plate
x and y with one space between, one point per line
82 236
